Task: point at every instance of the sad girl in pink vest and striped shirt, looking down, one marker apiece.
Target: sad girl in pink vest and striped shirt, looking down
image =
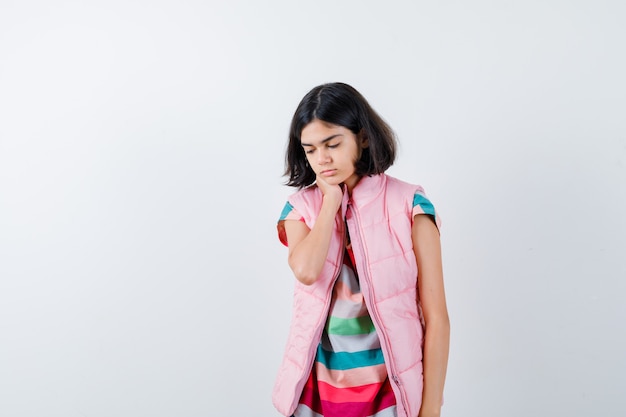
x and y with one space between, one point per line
369 335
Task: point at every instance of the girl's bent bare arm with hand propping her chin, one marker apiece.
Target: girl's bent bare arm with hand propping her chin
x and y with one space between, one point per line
308 248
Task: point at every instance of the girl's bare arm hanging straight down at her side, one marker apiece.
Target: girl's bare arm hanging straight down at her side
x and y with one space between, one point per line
427 248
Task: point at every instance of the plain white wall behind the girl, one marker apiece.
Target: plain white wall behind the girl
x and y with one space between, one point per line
141 153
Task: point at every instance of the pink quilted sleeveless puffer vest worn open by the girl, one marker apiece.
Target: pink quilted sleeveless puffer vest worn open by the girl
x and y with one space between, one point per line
379 223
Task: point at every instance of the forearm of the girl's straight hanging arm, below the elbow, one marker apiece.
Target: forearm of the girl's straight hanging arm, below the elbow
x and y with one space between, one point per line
436 347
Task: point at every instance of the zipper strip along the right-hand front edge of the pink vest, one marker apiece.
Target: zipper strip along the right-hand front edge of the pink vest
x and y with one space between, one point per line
372 308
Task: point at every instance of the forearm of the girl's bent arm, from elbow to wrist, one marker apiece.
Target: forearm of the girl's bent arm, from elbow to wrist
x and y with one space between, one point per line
307 258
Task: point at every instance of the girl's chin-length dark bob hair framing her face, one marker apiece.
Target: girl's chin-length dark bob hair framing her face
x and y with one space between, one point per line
341 105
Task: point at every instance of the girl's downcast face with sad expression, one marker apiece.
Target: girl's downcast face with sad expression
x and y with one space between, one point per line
332 151
